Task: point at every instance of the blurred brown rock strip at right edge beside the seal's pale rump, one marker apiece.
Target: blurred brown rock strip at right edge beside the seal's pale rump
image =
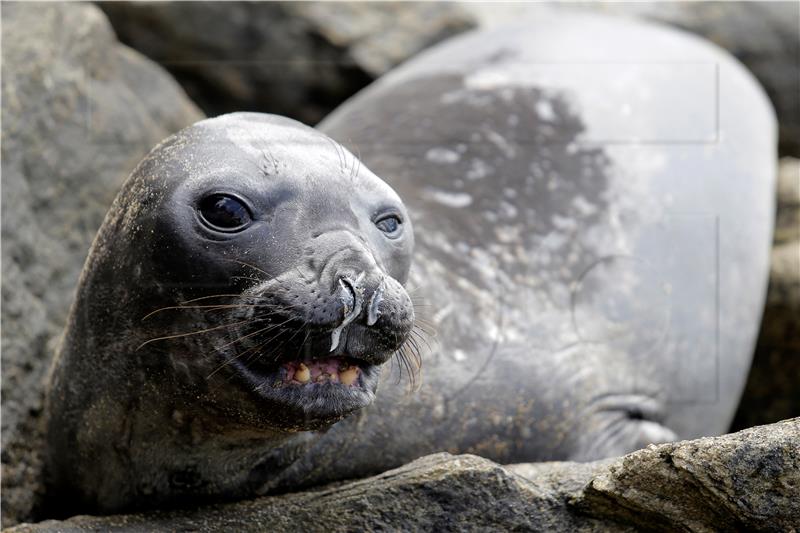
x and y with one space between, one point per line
773 388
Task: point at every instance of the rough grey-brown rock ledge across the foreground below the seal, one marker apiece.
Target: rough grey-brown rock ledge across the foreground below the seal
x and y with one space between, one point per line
743 481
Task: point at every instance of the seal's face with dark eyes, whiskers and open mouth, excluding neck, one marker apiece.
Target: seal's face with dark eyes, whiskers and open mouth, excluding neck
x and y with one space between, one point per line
314 249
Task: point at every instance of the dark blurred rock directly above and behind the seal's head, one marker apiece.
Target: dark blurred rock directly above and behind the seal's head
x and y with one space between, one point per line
296 59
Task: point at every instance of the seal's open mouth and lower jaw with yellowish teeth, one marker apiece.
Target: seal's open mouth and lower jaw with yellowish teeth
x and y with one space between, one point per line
312 392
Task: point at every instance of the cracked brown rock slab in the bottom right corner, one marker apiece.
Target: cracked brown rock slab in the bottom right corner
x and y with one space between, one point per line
744 481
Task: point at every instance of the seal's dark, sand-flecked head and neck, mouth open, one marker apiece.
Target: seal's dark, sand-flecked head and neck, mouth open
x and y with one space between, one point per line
244 290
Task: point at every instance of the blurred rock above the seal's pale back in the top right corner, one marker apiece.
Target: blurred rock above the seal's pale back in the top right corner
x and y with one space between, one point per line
762 35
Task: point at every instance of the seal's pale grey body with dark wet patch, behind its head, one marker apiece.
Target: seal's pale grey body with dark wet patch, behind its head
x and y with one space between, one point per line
593 210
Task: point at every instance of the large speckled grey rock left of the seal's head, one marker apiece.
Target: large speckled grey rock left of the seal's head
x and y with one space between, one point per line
79 110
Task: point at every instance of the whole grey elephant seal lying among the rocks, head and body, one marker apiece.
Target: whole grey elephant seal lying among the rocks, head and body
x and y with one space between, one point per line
592 210
